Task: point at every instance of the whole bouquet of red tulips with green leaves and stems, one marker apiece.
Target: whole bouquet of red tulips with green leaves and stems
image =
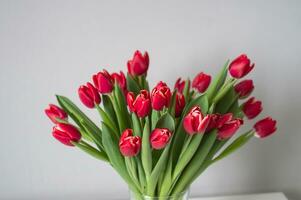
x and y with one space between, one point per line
160 140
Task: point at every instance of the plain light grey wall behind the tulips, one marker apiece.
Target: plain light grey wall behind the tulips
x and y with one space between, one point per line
49 47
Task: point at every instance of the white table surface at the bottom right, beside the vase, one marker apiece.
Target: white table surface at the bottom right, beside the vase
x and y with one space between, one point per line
265 196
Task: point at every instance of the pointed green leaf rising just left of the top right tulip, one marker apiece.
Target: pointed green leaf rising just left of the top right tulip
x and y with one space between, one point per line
217 82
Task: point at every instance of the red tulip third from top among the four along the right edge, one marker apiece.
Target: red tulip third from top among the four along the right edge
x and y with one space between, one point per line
252 108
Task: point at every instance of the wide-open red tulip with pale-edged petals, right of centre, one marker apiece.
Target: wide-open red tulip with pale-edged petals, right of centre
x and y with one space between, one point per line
194 122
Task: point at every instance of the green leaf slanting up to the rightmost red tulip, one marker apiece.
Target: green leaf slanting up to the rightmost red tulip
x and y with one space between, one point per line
236 144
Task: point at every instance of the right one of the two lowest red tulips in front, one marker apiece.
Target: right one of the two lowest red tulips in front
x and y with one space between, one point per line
160 137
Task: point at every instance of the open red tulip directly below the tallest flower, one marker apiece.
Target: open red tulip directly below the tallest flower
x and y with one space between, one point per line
140 105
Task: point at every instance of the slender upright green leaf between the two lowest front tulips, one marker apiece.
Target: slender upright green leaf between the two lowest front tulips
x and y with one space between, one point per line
146 154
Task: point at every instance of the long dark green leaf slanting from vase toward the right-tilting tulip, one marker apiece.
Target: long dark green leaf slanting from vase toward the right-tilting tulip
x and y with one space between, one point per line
195 163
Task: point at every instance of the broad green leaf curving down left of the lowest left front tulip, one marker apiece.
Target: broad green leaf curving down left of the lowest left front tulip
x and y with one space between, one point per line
115 156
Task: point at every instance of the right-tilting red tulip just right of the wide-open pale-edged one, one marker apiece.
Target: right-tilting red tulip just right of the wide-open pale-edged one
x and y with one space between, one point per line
229 129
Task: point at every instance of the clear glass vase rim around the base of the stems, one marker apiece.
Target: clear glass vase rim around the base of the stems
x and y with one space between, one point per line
181 196
